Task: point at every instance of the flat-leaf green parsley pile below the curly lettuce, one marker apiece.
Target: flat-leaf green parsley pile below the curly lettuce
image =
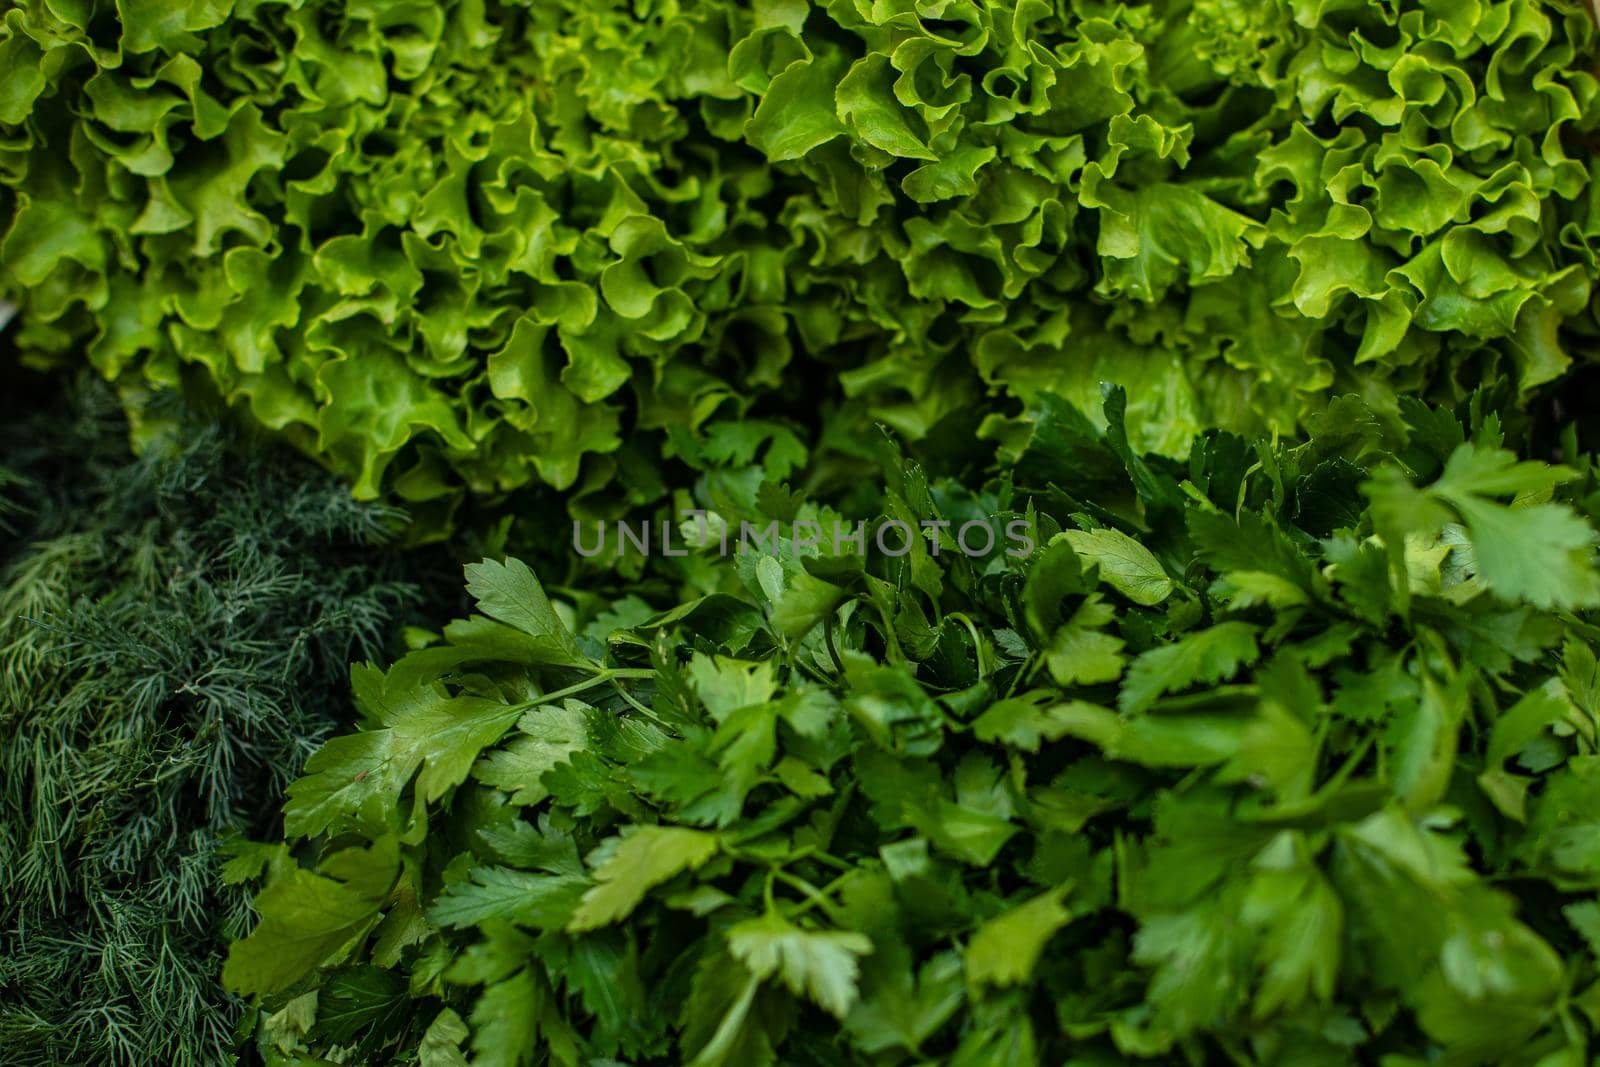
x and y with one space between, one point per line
1329 799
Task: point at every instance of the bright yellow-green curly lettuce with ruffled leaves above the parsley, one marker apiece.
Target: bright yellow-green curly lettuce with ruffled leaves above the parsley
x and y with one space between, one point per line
500 244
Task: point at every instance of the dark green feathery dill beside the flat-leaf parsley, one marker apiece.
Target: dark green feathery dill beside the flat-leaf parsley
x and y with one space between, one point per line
174 645
